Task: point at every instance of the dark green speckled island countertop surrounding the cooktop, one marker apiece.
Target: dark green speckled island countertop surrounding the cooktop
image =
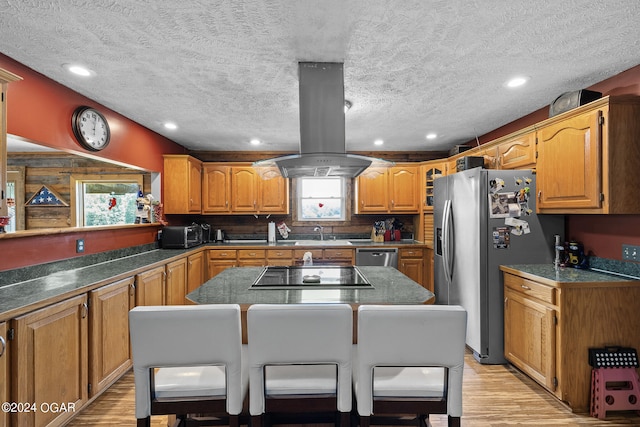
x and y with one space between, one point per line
231 286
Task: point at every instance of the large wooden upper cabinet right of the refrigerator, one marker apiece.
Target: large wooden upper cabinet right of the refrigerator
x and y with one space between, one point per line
589 159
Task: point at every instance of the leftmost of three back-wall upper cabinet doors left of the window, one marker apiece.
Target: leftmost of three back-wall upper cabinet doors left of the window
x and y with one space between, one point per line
216 188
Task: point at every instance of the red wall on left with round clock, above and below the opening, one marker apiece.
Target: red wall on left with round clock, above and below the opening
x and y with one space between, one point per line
40 110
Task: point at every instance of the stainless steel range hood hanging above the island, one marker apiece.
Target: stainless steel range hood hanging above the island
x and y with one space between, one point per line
322 130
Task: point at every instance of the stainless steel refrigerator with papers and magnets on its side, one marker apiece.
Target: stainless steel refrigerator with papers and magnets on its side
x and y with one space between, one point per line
484 219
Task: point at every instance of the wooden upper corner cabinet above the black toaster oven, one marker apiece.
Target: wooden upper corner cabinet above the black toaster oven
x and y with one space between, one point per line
182 181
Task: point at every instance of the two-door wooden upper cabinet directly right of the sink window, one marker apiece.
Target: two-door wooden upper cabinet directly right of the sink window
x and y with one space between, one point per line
395 190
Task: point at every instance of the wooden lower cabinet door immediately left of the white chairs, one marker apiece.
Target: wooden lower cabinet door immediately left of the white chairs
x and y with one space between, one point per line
109 350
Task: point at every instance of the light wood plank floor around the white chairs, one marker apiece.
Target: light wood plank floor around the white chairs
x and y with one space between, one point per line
493 395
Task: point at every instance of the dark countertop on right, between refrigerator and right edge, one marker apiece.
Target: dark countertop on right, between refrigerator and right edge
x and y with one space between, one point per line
547 273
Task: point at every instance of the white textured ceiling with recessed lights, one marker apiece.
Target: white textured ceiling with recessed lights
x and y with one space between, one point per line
226 71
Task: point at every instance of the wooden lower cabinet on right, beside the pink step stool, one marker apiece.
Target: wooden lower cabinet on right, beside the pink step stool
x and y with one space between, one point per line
550 326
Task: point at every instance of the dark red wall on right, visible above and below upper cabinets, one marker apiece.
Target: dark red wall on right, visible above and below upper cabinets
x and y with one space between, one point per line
602 235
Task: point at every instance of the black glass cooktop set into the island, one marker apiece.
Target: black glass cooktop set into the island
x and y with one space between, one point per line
328 277
